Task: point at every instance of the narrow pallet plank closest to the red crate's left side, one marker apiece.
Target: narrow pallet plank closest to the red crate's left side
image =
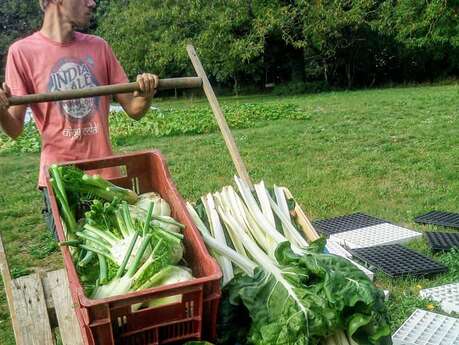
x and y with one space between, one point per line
63 305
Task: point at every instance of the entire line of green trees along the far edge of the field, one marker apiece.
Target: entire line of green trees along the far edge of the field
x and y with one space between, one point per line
304 44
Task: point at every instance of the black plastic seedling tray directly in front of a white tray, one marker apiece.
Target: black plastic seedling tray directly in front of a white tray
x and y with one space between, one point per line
396 260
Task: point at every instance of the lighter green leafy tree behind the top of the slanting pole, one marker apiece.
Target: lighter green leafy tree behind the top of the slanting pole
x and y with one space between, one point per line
229 35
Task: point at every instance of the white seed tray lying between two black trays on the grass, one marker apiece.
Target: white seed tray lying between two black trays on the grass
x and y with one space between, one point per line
375 235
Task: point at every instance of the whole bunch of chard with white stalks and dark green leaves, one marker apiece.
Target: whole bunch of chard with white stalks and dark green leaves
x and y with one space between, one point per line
297 295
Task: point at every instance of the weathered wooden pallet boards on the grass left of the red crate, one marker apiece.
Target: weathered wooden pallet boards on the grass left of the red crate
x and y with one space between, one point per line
37 303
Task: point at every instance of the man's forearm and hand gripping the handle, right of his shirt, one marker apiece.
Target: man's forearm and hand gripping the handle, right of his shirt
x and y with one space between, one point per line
138 103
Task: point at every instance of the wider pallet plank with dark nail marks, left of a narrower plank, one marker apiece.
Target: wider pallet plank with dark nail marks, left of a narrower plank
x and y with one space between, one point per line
32 314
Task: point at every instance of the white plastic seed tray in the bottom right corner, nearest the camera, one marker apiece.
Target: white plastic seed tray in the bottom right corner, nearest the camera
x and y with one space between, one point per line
426 328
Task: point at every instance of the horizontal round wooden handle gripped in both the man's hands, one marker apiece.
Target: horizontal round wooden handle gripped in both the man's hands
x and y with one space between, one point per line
164 84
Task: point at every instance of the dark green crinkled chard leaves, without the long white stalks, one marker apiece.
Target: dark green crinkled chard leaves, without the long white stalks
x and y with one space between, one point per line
328 300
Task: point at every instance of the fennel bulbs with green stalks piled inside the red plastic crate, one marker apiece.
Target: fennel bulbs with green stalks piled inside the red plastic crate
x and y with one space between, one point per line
120 241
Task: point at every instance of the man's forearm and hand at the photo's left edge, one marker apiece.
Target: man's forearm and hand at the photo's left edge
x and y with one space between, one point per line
11 118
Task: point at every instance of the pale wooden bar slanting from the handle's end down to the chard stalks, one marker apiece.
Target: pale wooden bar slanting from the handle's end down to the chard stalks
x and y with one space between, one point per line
219 116
